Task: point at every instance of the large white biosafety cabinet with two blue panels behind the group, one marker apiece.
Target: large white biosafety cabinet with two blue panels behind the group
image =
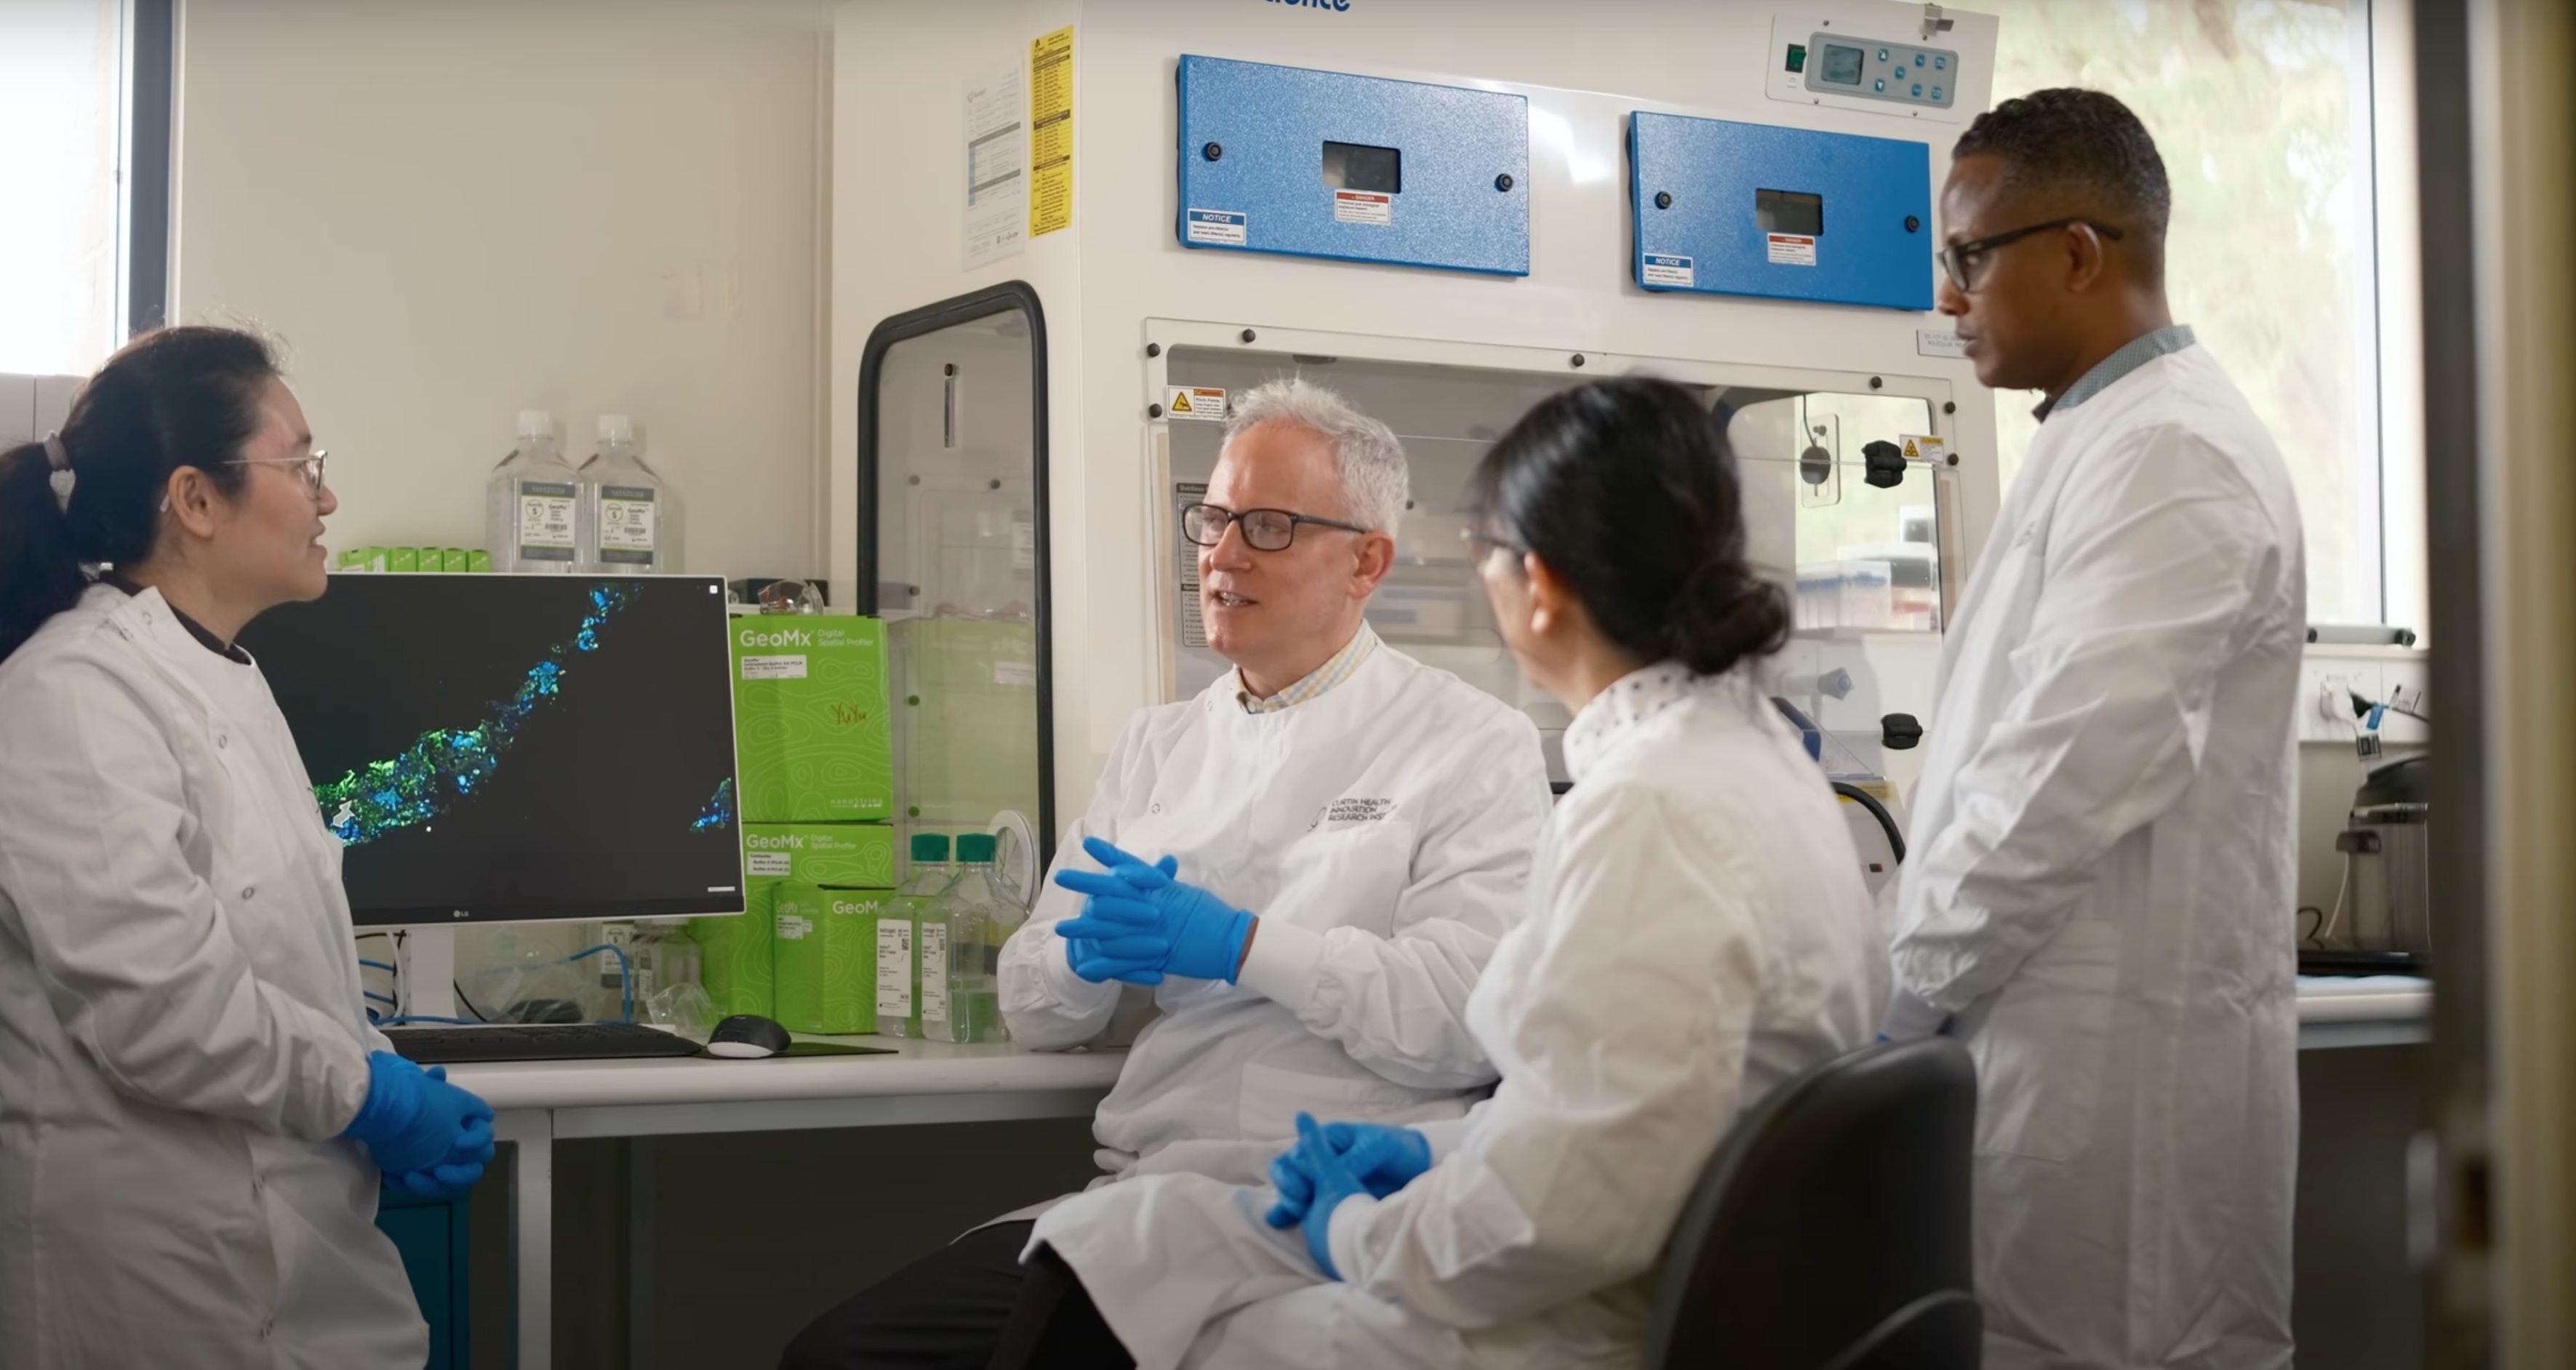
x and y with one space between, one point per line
1068 233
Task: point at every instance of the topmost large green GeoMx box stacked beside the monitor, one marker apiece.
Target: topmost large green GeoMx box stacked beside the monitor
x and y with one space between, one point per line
810 720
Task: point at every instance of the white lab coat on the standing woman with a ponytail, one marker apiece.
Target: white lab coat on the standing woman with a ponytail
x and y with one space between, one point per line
182 1031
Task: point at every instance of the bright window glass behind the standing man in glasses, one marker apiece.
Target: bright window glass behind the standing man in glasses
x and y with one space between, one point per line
2260 112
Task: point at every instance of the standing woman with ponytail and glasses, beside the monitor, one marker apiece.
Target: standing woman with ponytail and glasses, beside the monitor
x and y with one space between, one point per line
194 1109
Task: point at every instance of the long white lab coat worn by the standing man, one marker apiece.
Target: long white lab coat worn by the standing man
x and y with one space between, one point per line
2103 877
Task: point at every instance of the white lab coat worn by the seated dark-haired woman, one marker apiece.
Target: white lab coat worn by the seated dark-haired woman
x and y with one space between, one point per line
1699 934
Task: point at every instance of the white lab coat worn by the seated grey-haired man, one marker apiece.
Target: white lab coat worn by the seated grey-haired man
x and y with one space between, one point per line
1382 833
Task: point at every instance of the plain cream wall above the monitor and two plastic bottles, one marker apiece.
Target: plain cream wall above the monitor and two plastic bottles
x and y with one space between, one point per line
455 212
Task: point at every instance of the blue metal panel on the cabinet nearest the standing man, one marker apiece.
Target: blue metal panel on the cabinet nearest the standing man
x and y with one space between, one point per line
1877 218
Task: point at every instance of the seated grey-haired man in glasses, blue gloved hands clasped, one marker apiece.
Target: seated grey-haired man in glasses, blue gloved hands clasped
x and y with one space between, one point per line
1305 872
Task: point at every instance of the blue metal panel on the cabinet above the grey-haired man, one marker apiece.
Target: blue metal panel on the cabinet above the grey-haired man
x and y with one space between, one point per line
1464 197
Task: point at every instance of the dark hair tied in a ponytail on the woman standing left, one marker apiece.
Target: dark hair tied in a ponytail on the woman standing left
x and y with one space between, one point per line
174 398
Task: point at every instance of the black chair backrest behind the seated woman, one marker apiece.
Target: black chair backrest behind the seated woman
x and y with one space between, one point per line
1830 1230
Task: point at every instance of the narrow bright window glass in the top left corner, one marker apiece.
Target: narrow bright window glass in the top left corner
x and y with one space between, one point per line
61 127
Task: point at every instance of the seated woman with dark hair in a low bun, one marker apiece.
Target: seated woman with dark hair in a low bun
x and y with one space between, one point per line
1699 934
